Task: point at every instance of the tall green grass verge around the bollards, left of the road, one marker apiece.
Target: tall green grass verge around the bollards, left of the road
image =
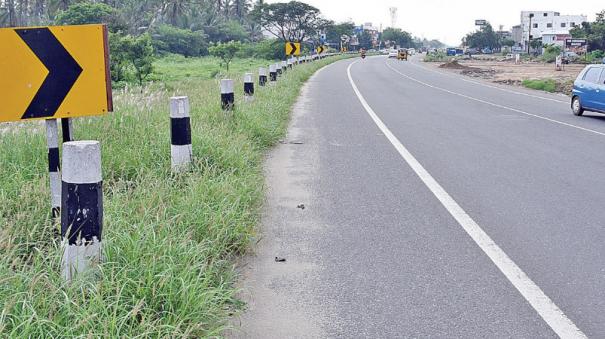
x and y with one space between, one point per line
170 241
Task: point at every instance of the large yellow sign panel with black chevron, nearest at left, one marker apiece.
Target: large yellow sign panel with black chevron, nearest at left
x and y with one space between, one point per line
54 72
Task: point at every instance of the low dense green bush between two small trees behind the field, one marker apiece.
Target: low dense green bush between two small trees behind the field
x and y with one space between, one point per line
169 39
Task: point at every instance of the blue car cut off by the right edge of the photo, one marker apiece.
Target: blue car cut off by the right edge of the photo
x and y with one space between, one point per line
589 90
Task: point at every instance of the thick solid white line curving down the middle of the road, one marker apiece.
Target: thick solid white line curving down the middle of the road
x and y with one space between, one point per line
546 308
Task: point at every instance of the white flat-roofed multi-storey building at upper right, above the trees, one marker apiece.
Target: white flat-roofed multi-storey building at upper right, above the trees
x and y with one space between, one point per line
535 23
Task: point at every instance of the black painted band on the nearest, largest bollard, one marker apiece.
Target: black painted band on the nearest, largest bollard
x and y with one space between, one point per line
82 212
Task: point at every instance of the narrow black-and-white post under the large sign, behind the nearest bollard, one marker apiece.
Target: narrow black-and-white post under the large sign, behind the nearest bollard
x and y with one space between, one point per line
54 161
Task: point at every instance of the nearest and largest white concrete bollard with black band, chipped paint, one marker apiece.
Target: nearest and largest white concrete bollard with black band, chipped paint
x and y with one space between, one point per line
81 207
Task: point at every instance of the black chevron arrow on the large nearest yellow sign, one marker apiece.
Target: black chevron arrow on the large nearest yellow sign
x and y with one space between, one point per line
63 72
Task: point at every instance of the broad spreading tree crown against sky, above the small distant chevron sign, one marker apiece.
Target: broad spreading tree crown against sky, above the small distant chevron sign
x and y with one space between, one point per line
292 21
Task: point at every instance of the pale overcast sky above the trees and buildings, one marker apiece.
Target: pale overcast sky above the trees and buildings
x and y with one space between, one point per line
446 20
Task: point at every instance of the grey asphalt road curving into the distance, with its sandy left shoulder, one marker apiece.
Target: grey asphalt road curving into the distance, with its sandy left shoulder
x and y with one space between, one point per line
435 206
